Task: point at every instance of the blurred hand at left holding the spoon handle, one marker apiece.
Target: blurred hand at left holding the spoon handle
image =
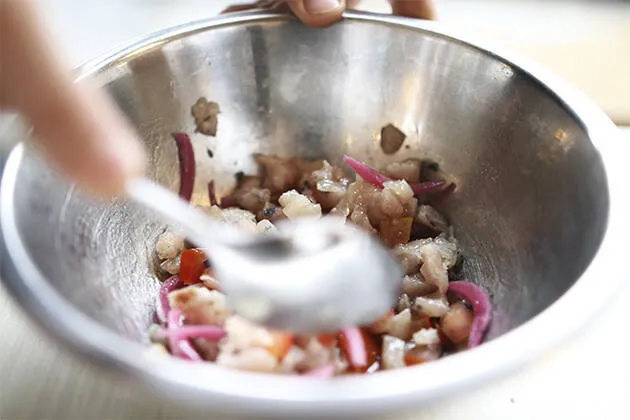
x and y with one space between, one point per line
75 125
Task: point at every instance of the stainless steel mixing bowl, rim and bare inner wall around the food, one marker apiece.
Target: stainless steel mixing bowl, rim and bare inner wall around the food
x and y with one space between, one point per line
536 209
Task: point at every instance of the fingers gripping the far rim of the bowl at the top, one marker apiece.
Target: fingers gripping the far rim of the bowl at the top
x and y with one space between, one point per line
320 13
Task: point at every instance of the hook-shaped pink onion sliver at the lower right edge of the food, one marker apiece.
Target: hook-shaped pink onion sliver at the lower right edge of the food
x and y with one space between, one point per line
481 307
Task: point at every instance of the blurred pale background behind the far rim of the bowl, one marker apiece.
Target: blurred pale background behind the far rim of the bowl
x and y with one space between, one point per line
586 41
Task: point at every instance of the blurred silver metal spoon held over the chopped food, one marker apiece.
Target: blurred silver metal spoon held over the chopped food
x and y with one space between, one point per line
315 275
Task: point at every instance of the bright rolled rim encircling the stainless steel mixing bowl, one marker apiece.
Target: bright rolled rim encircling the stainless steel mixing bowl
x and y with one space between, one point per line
263 393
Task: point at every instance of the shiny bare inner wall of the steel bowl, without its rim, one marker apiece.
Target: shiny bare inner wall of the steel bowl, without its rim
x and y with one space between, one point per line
530 205
